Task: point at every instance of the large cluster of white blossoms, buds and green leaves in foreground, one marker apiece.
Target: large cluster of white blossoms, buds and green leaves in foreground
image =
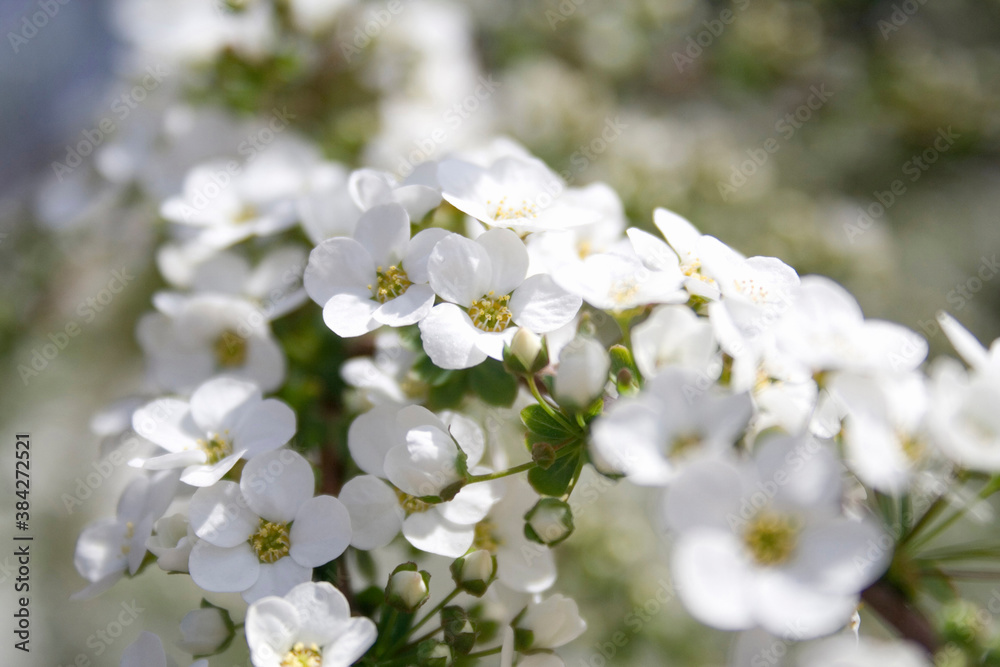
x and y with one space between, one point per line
447 354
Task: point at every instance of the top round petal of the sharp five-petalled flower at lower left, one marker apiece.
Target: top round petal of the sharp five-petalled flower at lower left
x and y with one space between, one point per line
275 484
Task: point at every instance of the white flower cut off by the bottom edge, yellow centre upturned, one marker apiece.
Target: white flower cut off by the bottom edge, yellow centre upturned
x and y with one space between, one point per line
310 625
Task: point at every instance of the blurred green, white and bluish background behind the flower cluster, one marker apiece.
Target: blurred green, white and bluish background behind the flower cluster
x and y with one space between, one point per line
856 139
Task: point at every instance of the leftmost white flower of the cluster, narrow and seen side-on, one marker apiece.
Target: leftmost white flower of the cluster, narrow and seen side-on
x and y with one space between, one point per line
107 548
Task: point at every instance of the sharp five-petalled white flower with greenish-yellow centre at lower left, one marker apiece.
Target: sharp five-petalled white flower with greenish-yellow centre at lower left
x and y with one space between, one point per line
265 535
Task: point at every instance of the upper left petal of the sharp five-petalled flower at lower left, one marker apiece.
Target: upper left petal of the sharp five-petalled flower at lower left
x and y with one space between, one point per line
219 514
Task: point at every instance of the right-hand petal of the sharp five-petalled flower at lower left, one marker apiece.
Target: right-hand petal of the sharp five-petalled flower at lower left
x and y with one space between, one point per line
321 531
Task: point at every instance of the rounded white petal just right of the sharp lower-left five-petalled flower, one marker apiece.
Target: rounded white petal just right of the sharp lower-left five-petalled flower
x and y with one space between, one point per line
376 516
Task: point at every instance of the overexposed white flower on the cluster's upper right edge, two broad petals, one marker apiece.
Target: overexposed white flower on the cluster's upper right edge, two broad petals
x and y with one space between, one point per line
824 330
